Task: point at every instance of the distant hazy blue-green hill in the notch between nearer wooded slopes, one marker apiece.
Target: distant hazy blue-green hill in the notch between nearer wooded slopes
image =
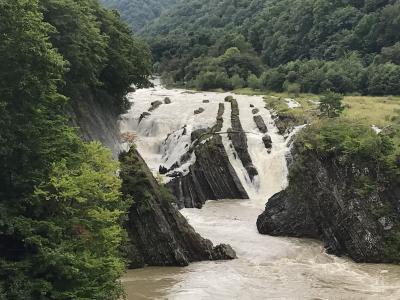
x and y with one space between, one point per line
138 13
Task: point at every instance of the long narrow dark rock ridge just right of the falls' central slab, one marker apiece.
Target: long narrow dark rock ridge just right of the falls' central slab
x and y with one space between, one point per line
239 140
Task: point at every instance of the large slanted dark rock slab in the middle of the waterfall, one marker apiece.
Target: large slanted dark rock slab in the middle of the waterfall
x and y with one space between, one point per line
212 176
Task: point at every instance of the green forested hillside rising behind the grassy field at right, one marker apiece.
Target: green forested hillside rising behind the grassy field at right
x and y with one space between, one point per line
301 45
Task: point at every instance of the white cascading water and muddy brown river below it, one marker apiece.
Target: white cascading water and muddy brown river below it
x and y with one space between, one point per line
267 267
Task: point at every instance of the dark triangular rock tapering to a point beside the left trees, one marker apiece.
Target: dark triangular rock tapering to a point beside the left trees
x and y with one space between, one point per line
159 234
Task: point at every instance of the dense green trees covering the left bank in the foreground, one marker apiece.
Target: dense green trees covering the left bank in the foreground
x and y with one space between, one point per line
61 210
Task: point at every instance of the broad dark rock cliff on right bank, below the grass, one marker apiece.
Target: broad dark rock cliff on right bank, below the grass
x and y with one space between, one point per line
325 201
